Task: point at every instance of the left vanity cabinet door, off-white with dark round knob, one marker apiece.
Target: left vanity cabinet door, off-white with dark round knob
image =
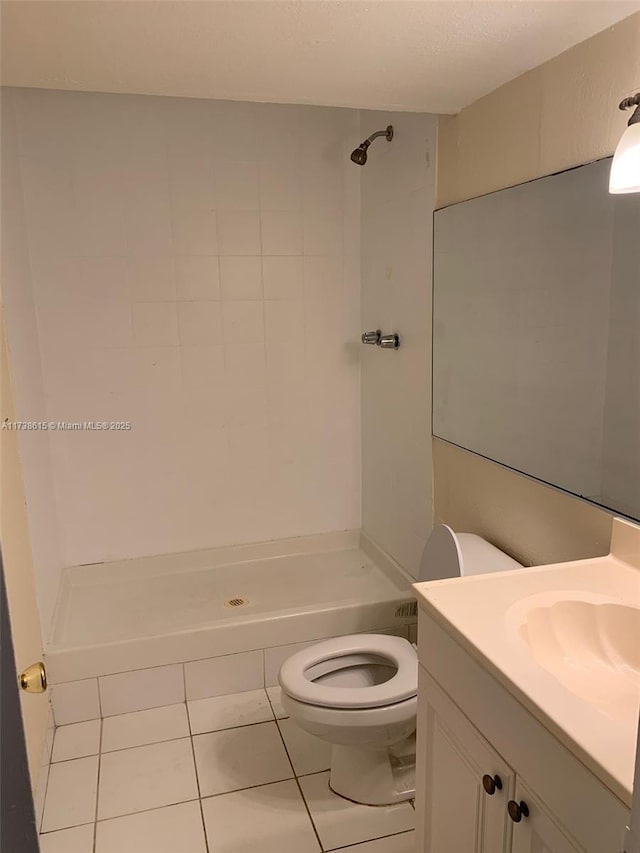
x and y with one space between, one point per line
455 812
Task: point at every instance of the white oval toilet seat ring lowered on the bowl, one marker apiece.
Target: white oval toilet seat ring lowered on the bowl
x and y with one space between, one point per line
298 671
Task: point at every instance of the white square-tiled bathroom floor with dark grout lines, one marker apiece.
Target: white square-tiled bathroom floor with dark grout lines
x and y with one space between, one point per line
230 774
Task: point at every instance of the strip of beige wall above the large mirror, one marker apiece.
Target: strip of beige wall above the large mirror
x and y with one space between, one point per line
559 115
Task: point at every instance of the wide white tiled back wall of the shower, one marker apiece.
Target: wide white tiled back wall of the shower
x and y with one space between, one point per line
162 232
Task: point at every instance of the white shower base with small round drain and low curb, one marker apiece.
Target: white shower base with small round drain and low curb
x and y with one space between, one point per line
151 611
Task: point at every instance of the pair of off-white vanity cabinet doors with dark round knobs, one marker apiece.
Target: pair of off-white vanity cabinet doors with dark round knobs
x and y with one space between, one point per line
474 800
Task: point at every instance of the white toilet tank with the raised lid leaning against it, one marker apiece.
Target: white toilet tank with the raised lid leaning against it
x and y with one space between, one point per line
449 555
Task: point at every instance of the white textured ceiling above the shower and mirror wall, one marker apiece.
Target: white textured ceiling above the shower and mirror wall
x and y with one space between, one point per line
387 54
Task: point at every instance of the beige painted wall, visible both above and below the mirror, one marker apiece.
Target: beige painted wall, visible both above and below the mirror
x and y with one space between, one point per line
559 115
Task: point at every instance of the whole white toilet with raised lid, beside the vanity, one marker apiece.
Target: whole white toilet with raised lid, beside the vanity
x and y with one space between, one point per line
359 692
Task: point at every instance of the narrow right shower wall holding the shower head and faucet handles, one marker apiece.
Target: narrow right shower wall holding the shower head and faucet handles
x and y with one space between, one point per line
397 207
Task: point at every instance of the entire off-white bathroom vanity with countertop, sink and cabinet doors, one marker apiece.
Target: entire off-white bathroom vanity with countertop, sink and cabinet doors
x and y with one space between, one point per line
490 704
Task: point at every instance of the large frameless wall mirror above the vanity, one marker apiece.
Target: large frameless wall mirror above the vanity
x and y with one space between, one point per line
537 333
